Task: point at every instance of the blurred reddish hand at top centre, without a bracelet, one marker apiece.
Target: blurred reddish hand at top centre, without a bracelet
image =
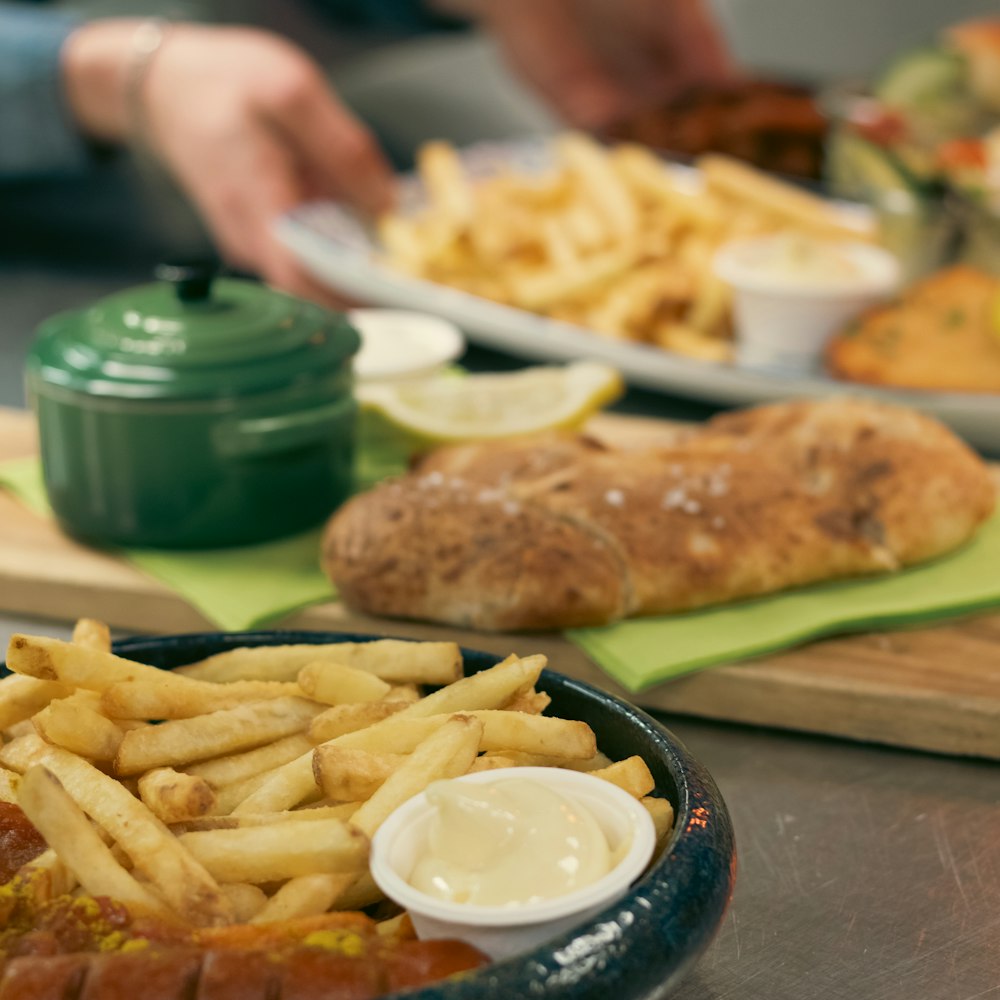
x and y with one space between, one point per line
597 60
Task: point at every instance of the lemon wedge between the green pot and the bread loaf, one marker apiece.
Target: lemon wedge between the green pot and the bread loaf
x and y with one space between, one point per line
449 408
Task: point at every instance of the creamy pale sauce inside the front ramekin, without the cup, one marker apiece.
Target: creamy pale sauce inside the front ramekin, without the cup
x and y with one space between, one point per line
509 842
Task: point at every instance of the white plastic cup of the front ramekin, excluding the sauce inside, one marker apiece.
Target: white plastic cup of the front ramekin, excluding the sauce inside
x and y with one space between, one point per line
501 931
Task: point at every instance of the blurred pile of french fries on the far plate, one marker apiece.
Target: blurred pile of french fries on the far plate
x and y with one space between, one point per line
609 239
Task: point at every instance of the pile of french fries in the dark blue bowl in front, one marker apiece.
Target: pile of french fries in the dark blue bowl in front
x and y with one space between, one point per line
245 788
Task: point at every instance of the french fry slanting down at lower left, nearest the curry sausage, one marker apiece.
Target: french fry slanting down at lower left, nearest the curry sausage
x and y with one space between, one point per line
78 845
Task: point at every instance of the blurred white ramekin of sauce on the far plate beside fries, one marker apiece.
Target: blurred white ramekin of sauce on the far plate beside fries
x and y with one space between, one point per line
792 292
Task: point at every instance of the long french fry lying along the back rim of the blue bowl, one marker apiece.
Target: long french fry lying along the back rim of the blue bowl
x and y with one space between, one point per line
398 661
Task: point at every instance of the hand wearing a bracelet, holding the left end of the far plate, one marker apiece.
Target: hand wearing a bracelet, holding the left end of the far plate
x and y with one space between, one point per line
243 120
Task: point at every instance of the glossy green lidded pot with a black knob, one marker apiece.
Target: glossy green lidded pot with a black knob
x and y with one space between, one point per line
193 413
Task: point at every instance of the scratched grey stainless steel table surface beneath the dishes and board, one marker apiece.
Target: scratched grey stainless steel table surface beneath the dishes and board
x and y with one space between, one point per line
865 873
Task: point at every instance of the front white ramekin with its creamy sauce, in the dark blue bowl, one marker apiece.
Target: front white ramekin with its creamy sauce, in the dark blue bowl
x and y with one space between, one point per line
509 858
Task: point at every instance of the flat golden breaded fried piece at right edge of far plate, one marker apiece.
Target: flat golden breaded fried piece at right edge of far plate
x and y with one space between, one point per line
943 334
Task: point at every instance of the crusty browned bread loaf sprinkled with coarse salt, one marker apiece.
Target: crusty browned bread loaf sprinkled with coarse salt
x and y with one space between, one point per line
561 531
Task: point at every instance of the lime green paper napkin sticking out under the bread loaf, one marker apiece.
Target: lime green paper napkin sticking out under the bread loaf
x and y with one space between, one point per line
644 652
